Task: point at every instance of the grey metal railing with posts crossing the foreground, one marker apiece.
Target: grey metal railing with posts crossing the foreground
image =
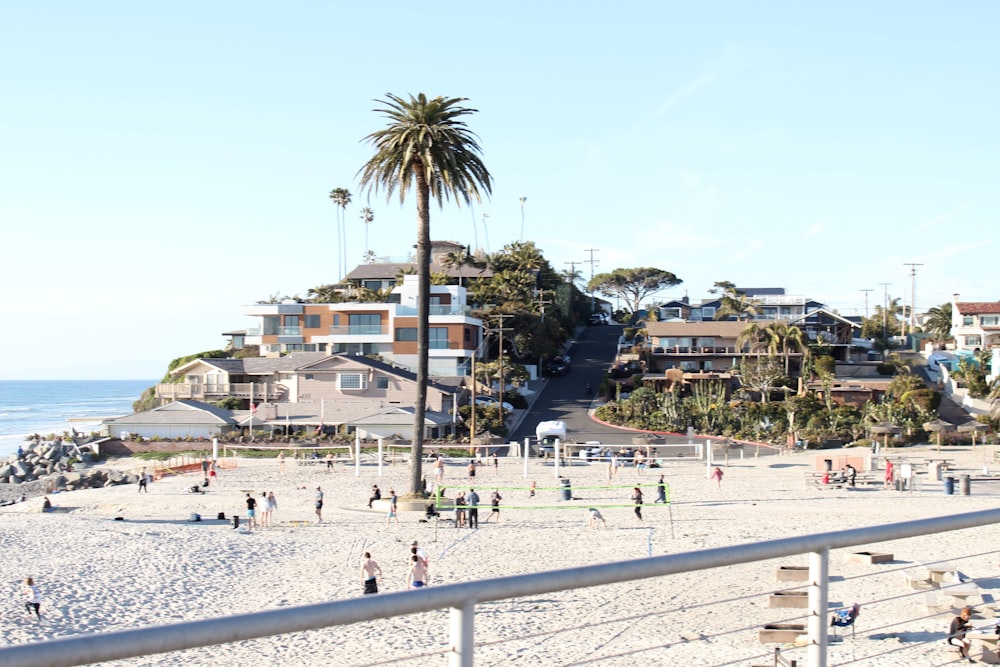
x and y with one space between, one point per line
461 599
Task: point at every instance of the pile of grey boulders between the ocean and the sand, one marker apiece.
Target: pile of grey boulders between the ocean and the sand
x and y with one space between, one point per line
48 466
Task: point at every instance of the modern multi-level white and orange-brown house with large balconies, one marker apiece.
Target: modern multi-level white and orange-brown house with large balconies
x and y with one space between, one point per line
387 330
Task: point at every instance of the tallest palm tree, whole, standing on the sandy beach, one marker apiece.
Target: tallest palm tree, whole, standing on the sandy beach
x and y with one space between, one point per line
426 145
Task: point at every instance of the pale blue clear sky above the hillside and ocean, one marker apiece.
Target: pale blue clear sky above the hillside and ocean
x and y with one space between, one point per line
164 164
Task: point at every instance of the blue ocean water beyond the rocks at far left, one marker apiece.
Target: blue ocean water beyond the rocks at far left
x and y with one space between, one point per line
46 406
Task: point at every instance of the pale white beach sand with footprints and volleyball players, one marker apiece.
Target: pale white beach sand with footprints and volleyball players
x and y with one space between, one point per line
97 574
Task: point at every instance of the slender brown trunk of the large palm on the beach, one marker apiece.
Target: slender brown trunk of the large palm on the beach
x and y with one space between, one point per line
423 327
